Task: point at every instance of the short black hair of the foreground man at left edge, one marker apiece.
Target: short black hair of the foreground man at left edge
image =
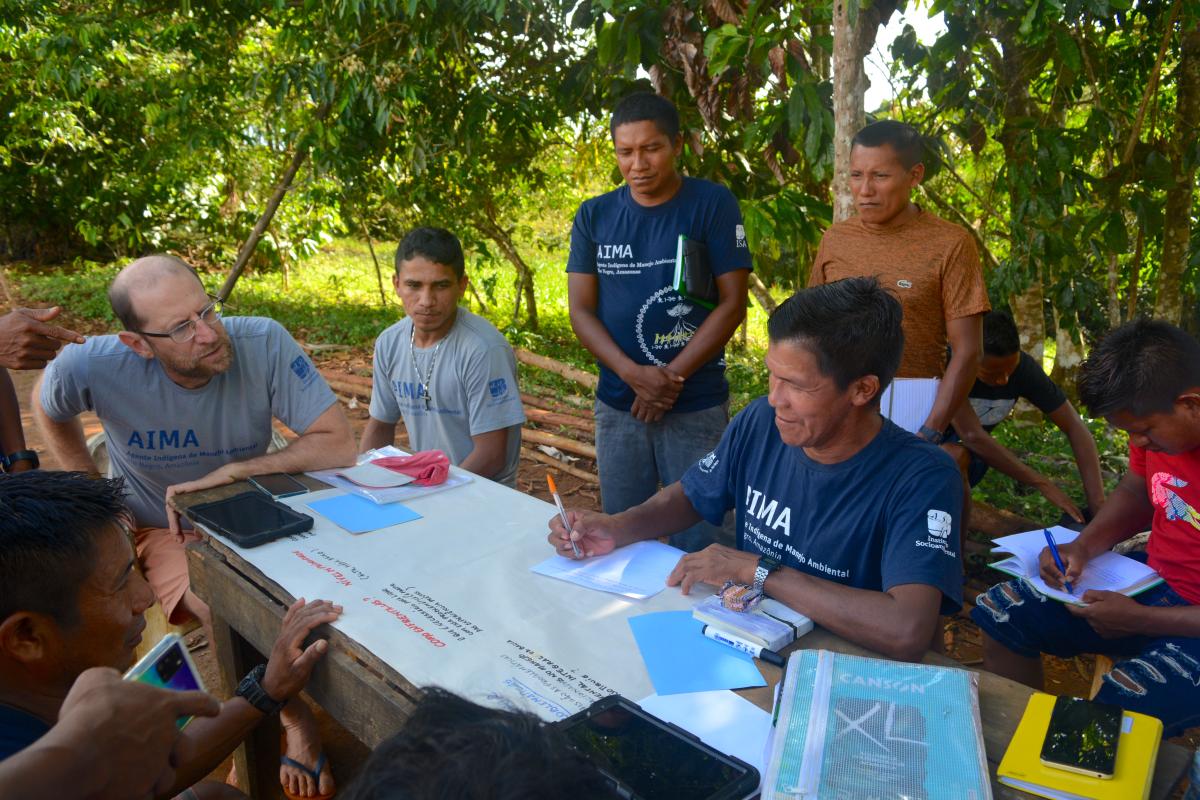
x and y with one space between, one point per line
49 528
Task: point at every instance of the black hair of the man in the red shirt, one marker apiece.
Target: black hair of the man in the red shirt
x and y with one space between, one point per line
1141 368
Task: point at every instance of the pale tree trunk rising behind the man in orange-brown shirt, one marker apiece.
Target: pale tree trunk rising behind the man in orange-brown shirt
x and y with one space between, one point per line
853 40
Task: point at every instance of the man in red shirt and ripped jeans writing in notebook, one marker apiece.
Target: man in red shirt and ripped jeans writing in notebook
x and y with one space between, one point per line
1144 378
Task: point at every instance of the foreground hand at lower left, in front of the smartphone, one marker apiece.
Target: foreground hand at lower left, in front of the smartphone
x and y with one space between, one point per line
130 730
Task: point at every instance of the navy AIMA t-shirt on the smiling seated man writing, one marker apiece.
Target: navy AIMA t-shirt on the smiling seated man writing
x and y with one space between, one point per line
887 516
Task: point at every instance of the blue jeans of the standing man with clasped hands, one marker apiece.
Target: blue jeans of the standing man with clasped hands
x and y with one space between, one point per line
634 459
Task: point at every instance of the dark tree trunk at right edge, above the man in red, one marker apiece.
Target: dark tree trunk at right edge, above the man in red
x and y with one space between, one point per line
1178 215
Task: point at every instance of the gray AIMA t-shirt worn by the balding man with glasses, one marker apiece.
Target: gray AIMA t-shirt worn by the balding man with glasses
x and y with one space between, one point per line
160 434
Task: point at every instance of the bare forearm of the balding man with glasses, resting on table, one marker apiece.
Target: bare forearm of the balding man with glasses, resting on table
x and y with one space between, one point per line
328 443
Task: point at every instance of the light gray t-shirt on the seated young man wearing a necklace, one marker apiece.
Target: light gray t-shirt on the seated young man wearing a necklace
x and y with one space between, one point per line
473 389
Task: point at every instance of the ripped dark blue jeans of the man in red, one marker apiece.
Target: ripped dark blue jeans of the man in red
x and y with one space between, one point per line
1157 676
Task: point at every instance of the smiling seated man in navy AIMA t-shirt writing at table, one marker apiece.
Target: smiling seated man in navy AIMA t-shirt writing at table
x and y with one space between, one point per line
841 514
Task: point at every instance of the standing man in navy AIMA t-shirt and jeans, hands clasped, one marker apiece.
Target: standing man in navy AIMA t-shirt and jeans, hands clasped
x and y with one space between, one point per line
663 400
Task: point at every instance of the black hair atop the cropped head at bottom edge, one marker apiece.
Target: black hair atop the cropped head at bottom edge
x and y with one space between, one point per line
452 748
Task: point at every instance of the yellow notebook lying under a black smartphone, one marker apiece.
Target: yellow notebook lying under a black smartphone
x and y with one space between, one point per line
1137 751
